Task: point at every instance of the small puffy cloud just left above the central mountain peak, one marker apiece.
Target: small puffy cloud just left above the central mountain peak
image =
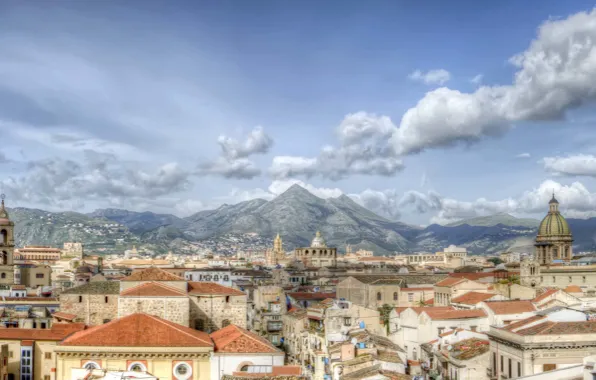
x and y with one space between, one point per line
233 162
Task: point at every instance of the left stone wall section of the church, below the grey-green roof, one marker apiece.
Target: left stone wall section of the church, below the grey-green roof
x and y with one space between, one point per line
93 309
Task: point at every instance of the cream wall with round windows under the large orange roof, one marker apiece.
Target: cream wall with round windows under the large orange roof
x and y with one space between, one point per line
160 368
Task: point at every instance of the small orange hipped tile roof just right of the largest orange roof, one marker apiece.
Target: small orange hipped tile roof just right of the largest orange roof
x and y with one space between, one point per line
234 339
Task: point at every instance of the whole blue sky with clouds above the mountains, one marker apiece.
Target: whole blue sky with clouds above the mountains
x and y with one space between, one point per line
415 109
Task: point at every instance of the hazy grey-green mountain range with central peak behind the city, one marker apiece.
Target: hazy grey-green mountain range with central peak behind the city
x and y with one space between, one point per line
296 215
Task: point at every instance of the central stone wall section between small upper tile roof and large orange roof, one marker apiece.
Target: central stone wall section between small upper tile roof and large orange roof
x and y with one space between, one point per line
174 309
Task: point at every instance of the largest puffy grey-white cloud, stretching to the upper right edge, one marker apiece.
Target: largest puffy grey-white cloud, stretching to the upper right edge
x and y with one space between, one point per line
553 75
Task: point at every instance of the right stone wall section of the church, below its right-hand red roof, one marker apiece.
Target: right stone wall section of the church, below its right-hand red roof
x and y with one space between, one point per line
208 313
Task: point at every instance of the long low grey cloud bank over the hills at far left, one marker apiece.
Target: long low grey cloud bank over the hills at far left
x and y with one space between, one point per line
64 183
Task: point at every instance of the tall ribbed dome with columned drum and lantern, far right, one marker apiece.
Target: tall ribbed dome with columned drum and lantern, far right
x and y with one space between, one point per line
554 240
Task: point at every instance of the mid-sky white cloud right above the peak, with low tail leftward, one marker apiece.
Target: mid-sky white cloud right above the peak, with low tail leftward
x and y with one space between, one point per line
364 149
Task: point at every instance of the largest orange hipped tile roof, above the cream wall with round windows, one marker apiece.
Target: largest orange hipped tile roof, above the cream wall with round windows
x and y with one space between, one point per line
139 330
